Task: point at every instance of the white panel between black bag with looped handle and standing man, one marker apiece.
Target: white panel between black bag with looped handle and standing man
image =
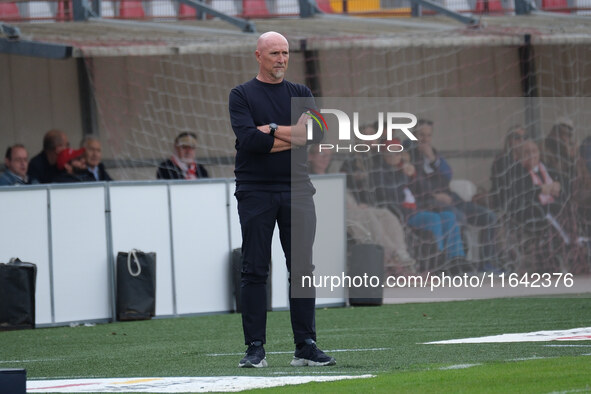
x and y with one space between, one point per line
201 247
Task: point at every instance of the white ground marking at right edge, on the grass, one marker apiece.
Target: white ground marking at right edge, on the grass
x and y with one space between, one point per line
575 334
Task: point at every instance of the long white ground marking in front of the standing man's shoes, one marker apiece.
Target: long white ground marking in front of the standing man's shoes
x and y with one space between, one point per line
173 385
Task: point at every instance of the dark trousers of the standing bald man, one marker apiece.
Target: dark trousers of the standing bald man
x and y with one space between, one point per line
296 219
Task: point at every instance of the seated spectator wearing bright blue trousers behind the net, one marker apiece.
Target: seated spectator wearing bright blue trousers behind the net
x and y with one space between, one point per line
396 183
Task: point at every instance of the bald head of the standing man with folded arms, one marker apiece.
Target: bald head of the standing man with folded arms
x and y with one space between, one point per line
273 57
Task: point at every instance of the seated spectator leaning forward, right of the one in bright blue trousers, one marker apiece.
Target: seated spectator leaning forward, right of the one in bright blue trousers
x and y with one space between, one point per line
433 177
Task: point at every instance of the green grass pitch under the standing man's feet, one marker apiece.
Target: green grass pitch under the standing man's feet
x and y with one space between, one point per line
385 341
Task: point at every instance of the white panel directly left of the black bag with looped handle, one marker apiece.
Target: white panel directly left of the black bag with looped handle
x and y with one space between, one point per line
80 262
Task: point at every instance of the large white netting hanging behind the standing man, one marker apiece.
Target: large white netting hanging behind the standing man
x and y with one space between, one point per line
144 102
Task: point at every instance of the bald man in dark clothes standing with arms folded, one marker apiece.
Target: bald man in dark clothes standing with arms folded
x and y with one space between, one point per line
273 187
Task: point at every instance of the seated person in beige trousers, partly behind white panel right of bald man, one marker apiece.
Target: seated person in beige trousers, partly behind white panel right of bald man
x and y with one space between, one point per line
369 224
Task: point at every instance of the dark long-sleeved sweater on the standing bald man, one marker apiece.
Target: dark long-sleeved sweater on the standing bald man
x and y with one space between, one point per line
256 103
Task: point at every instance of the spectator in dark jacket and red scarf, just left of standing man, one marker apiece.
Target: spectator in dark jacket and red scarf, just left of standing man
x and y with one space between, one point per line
182 164
